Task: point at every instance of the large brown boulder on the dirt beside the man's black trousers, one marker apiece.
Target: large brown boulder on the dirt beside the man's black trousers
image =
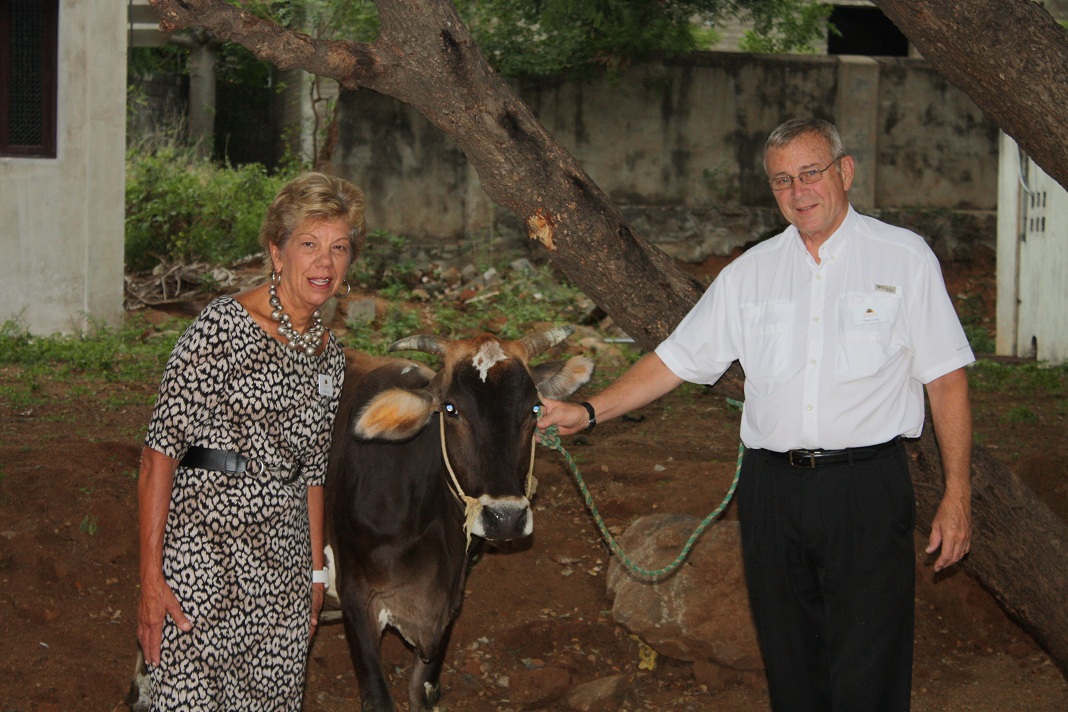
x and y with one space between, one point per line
701 612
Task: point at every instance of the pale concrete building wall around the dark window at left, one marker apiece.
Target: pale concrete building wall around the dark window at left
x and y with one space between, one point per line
61 238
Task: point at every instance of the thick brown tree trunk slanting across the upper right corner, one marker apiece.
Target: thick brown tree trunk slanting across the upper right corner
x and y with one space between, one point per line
1011 57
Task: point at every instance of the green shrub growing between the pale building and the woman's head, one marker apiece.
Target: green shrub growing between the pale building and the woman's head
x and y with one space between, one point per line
184 209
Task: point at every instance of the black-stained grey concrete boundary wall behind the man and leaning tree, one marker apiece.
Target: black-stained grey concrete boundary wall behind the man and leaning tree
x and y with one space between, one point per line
679 146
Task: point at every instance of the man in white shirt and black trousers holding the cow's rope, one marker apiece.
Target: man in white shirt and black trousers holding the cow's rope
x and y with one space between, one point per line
839 324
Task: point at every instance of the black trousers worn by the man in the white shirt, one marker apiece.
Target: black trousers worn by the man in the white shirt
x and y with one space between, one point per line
830 566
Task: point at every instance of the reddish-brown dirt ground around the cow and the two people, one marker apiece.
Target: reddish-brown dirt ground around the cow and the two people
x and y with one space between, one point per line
69 573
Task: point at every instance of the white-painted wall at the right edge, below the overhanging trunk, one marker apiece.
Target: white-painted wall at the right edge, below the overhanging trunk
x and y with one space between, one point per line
1032 260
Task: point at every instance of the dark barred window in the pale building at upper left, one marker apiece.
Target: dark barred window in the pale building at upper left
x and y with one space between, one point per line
28 76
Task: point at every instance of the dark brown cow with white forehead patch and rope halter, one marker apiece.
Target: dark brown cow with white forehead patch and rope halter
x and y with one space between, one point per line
426 468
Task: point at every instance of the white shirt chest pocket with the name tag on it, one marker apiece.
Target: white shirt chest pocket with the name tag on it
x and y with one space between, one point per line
868 328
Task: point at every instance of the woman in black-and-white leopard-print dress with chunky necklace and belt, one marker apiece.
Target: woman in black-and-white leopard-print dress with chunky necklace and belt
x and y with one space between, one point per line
231 482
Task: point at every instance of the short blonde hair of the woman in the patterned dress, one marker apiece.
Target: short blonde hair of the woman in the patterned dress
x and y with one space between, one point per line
315 197
